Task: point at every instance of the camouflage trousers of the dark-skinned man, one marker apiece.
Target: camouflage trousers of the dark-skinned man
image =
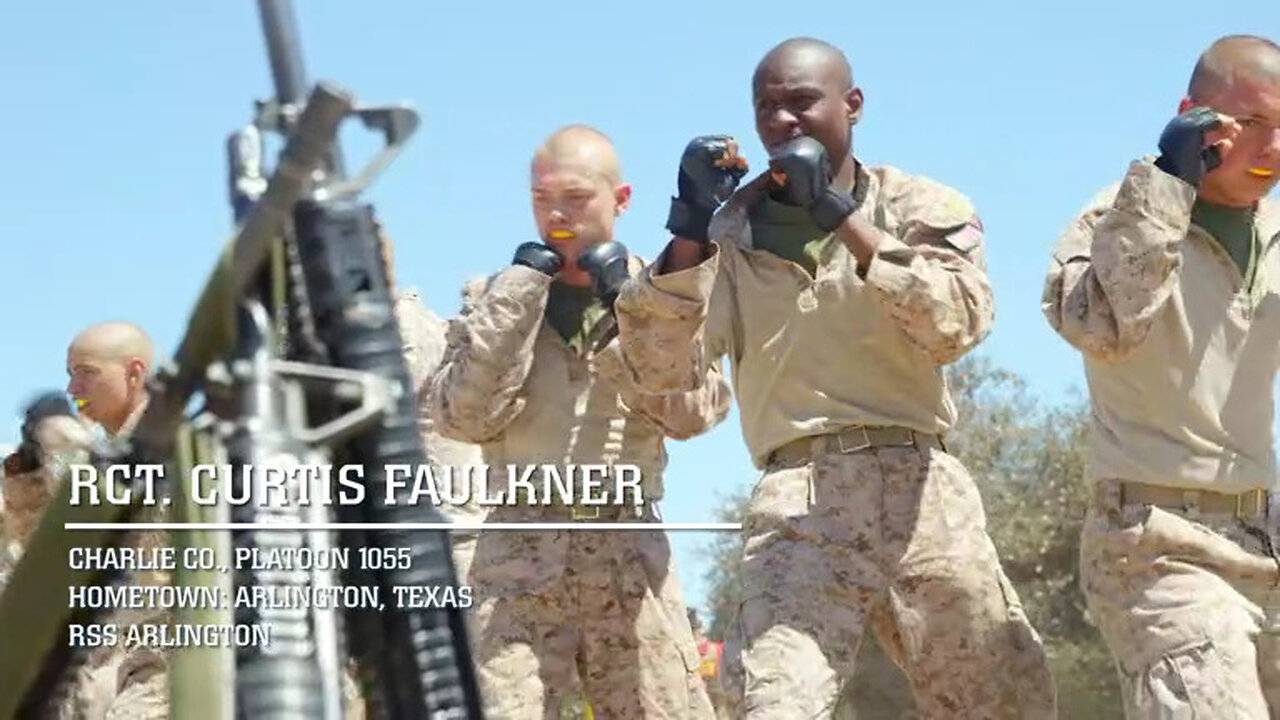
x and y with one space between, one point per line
894 540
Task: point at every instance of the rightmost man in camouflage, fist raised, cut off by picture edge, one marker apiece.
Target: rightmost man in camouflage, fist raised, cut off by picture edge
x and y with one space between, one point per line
1168 285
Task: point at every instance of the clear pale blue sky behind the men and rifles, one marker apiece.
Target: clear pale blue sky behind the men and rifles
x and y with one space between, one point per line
118 113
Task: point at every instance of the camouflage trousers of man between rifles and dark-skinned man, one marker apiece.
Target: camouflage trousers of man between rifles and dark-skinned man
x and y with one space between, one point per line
587 612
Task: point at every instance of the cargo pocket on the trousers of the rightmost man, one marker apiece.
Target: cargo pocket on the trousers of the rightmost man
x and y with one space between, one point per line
1191 680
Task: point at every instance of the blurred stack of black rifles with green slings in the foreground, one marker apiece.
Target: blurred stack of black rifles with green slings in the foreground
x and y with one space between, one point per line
295 349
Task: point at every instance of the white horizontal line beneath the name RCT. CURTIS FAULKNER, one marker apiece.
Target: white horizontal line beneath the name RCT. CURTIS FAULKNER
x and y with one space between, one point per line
473 527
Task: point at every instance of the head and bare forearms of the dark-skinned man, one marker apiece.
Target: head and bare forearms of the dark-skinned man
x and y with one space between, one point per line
803 88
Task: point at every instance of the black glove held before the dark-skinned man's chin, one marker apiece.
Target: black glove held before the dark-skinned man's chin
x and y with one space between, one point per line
803 171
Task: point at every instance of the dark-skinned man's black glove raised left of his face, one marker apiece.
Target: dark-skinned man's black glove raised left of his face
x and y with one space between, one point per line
710 172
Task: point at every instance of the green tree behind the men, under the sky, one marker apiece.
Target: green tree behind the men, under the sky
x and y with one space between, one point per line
1028 459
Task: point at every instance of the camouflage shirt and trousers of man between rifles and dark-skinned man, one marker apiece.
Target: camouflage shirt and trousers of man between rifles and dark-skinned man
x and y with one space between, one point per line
560 616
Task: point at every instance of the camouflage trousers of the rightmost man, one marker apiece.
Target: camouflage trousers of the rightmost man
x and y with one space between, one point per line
1190 608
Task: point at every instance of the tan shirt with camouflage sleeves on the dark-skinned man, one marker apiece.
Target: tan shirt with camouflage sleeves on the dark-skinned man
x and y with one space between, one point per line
924 303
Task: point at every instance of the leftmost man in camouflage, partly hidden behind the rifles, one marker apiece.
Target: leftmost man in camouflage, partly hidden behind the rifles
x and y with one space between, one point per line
116 682
